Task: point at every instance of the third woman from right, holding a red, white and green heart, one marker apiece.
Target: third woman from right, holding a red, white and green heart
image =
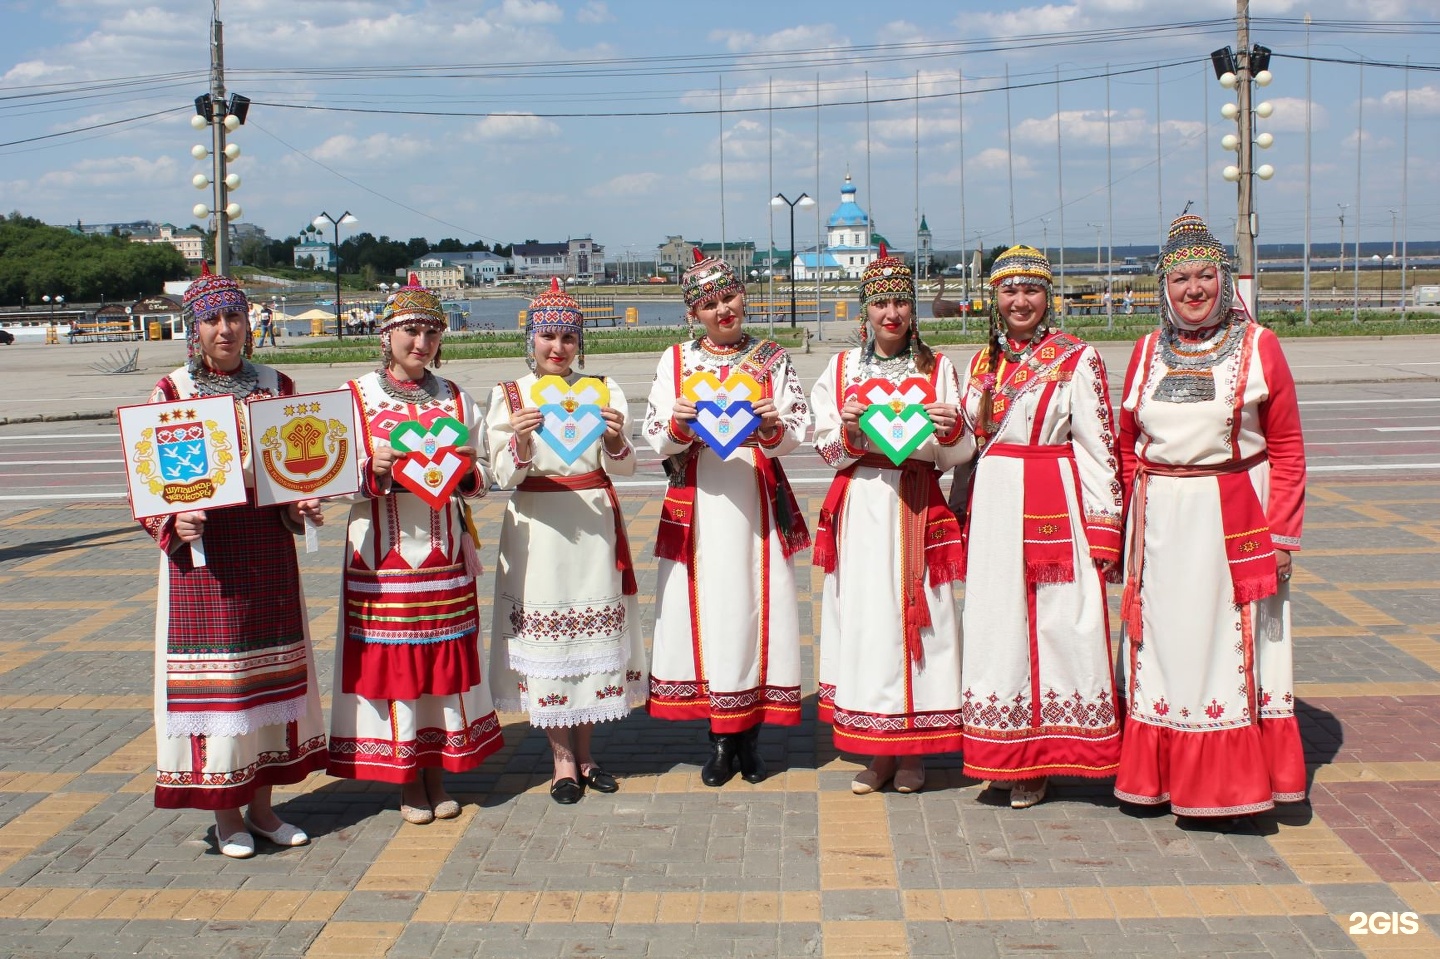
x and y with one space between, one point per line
891 548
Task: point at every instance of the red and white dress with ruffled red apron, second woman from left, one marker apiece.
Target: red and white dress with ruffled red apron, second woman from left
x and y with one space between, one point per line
410 690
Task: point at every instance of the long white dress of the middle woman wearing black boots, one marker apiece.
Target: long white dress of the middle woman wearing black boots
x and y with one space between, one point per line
726 644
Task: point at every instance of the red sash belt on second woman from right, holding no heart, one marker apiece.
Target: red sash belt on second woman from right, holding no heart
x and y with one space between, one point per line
1049 541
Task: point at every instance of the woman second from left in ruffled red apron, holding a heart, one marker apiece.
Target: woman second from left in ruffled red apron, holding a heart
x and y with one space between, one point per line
411 701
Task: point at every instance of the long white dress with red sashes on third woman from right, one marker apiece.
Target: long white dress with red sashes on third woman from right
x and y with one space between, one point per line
889 686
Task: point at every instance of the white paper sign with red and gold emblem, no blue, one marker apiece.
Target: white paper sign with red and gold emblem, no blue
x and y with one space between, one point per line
305 447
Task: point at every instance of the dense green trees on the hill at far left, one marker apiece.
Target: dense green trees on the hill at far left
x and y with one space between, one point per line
40 261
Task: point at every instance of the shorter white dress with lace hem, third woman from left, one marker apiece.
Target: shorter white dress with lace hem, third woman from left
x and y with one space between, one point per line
565 644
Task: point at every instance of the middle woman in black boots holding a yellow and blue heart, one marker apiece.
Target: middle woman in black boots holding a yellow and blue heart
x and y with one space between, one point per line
726 644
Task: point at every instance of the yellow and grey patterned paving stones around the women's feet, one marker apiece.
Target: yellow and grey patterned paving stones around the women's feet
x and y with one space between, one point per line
667 868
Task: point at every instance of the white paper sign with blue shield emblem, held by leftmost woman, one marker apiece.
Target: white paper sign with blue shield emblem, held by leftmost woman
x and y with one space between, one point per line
182 457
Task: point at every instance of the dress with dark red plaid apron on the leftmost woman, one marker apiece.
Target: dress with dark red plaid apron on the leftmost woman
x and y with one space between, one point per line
237 702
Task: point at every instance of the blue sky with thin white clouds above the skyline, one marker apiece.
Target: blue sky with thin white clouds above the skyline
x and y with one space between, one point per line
528 150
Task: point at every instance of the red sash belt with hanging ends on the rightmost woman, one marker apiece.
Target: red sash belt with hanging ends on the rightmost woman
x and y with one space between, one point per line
1249 548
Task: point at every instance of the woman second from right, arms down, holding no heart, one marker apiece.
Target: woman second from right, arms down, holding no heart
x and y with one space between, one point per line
1043 538
